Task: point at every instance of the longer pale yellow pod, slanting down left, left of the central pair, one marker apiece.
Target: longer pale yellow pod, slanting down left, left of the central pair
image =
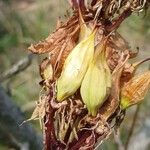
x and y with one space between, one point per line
75 68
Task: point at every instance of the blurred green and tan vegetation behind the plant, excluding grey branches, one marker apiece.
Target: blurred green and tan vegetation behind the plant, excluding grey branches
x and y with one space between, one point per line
23 22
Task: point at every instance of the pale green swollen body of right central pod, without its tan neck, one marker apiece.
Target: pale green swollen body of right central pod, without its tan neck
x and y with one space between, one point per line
93 88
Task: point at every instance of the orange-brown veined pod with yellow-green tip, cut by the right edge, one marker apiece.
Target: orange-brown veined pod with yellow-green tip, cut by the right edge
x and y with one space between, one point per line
135 90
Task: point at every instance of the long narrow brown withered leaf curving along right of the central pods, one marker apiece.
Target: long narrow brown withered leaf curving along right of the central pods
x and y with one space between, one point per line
112 103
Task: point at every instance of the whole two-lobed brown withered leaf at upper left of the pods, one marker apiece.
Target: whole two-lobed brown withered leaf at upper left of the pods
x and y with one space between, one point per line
59 44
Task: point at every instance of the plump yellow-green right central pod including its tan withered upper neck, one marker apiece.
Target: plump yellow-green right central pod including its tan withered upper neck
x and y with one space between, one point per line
96 81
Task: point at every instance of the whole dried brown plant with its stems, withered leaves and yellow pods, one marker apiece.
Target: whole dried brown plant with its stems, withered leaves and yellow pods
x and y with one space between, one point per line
87 78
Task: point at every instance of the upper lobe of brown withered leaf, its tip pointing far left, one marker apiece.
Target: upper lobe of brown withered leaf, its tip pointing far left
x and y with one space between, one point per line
54 40
